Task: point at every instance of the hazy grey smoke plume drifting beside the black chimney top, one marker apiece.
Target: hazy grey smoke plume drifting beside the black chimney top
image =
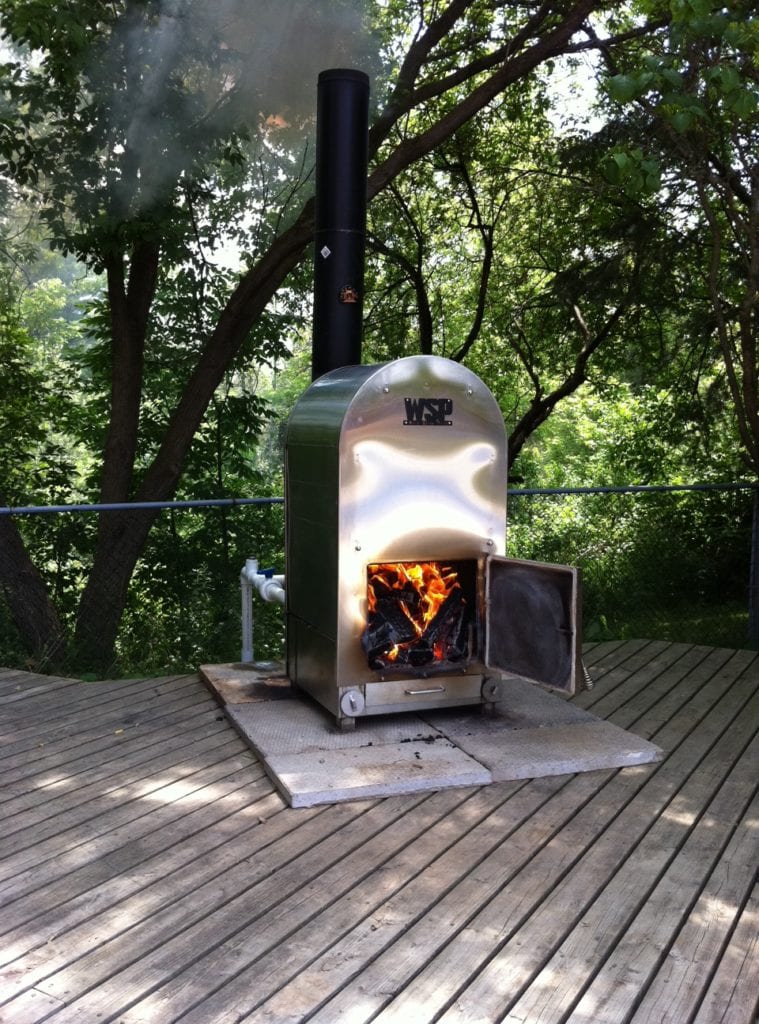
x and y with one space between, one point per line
197 70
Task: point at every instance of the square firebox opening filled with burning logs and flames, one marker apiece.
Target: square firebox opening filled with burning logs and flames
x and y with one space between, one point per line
421 616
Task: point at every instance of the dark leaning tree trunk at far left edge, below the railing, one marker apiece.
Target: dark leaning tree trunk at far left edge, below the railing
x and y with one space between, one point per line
33 612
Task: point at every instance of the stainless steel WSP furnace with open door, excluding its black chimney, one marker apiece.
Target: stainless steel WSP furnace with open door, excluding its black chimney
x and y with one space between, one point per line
399 595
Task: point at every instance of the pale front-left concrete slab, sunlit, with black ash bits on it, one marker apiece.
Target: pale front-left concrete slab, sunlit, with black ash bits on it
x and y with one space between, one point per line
393 770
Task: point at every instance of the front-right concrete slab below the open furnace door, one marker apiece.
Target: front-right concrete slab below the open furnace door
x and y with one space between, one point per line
558 750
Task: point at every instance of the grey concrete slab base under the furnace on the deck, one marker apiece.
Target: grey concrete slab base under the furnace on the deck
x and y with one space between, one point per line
532 735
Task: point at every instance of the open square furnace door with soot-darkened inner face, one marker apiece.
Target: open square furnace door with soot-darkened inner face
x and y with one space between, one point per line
533 622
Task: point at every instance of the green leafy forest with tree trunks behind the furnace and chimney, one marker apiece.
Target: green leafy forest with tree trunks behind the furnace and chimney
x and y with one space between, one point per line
565 196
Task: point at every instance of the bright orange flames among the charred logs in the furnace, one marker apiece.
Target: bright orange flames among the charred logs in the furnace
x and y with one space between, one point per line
426 587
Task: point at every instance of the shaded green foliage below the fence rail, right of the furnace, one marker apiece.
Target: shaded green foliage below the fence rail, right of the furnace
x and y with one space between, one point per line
671 567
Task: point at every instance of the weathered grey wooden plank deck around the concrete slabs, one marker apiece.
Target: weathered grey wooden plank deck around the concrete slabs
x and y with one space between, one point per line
150 873
